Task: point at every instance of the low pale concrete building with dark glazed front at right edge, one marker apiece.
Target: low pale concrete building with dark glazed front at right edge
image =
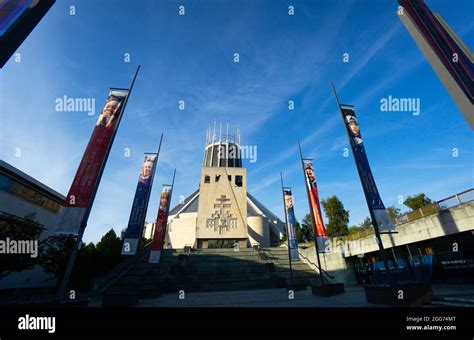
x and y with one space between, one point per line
433 244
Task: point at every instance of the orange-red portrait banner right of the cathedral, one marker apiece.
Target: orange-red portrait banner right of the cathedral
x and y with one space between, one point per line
320 232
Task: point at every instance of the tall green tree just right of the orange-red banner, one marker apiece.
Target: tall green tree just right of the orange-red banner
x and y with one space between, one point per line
338 217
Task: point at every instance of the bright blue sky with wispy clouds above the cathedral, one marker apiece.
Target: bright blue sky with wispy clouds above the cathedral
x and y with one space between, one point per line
282 58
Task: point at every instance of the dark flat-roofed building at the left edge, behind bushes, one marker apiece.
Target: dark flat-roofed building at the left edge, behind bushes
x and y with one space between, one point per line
28 212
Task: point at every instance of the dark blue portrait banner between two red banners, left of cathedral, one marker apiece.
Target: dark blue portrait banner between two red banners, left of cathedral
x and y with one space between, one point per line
134 230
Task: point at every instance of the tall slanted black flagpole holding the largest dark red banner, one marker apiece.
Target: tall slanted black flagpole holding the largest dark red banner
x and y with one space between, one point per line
78 243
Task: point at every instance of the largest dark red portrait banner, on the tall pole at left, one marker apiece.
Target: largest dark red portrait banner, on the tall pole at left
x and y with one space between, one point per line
81 194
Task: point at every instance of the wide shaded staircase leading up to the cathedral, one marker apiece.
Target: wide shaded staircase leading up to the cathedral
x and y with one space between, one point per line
201 270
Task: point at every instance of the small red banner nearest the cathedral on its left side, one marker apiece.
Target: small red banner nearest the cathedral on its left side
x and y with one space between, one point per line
159 233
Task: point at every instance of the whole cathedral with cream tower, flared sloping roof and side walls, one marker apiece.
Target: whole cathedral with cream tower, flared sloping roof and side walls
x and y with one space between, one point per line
221 212
